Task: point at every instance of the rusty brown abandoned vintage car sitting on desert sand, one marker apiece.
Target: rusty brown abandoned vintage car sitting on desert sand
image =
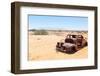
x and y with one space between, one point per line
71 44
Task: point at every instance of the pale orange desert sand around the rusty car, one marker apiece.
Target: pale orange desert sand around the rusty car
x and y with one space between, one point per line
42 47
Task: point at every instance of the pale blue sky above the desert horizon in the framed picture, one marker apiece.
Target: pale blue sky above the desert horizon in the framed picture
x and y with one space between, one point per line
57 22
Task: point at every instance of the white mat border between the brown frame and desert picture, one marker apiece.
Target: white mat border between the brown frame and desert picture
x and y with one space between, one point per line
24 11
